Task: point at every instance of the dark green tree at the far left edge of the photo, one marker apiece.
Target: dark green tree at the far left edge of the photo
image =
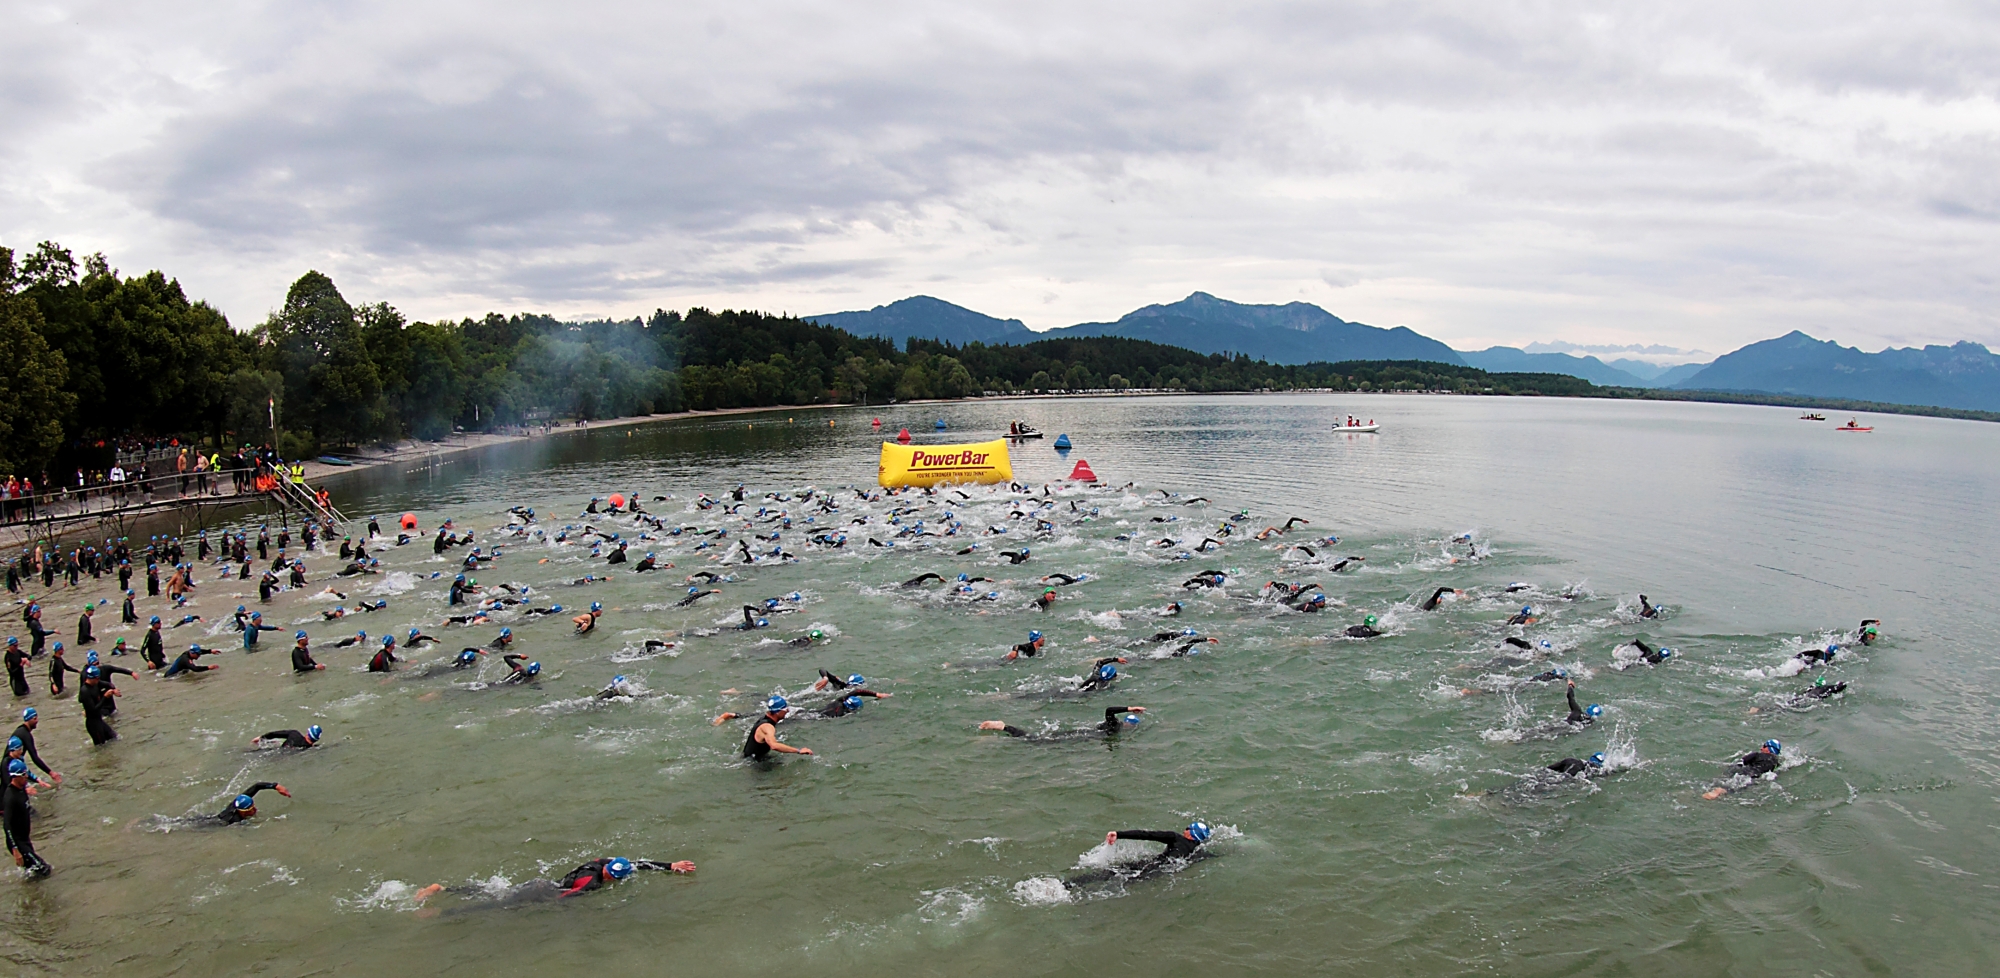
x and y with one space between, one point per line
33 377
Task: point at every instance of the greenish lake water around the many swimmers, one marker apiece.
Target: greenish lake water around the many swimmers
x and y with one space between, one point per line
1371 813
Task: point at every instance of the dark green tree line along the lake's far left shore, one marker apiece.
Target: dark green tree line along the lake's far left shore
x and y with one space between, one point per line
95 361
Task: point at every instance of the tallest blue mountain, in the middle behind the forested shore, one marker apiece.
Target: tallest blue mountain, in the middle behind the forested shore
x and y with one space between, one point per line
1297 333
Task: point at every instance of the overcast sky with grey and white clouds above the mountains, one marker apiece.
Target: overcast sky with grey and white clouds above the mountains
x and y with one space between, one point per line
1507 173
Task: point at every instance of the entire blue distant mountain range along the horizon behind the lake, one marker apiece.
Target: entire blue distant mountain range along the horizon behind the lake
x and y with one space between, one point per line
1945 377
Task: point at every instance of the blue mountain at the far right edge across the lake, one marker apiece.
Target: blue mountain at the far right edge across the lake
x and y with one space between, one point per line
1949 377
